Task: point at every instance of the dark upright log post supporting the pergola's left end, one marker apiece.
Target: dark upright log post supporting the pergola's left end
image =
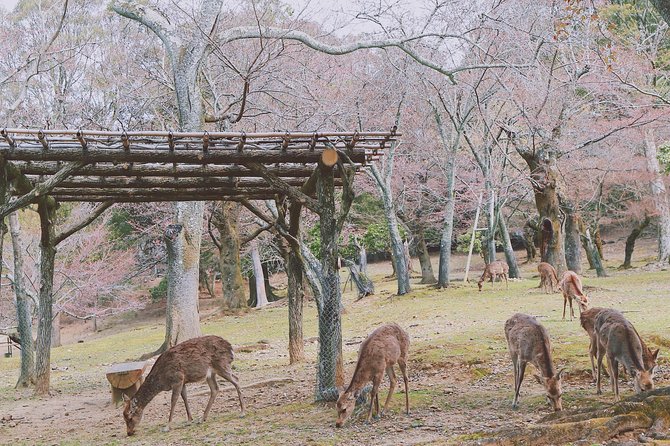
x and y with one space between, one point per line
47 211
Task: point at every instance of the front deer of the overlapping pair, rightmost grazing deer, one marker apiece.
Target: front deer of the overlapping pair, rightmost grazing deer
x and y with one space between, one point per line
617 338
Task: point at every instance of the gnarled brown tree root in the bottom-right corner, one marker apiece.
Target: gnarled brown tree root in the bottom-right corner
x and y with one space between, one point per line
649 411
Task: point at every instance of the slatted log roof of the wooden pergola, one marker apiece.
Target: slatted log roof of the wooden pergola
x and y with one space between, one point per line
76 165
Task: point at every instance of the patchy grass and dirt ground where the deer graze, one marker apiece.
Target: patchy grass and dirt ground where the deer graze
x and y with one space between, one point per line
460 372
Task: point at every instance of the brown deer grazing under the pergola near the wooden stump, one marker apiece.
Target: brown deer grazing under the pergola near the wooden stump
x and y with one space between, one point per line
191 361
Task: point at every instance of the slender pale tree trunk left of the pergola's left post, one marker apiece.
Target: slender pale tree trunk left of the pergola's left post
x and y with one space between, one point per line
23 307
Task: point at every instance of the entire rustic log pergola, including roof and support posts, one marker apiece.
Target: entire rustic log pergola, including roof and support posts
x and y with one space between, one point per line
49 166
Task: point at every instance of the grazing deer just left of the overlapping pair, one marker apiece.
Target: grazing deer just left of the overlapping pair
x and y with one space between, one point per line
528 341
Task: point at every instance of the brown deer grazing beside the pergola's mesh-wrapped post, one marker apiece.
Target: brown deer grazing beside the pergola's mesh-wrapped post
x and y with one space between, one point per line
384 347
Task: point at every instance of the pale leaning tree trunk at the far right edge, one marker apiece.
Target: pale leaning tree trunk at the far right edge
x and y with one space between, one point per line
660 198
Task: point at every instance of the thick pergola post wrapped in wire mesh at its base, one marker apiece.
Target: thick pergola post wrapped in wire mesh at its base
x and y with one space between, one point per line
330 372
